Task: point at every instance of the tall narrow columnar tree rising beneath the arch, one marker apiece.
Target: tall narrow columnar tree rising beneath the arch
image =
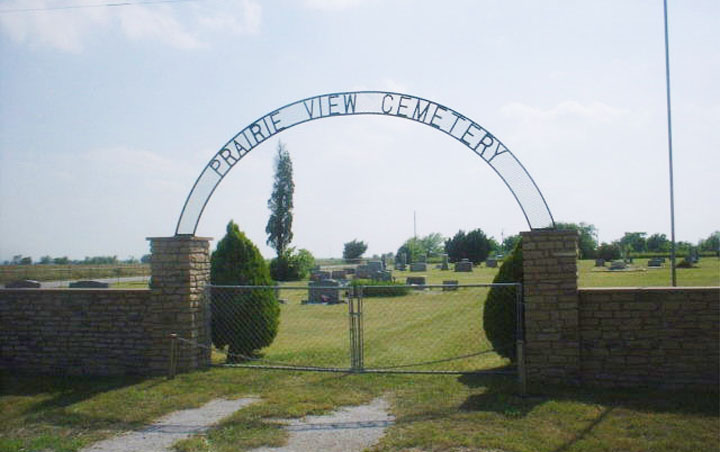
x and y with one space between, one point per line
279 227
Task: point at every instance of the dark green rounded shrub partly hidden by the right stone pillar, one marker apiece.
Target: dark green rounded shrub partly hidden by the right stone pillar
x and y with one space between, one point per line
500 312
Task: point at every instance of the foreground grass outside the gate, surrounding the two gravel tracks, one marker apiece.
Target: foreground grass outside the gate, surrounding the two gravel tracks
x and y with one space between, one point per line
433 412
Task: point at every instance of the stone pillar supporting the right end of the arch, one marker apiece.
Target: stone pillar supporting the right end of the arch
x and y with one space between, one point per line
551 306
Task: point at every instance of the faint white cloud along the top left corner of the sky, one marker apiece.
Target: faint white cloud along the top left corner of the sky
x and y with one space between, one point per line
70 29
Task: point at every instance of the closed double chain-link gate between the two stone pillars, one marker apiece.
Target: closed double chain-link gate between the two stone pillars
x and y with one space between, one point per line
362 328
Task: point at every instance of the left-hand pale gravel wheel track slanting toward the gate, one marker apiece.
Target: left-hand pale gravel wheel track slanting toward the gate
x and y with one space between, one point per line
179 425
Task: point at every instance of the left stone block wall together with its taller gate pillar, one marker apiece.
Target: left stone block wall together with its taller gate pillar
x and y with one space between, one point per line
114 332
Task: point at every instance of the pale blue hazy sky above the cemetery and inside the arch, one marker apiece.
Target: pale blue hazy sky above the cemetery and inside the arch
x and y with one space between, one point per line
108 114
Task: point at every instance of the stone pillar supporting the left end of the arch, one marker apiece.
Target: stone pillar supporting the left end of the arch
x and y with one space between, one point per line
180 268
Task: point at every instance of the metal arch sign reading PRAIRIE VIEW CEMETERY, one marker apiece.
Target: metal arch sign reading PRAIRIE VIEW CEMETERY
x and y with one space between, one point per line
380 103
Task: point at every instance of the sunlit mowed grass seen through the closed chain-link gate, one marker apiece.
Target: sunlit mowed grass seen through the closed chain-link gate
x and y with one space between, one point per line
423 326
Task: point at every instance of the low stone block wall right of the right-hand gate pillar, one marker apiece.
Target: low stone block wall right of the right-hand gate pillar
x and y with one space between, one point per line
650 336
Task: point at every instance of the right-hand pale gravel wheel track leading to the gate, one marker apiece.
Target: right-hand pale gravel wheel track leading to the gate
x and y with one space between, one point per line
345 430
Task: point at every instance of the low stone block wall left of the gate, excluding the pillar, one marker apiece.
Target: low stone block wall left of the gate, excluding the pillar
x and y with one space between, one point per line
75 331
